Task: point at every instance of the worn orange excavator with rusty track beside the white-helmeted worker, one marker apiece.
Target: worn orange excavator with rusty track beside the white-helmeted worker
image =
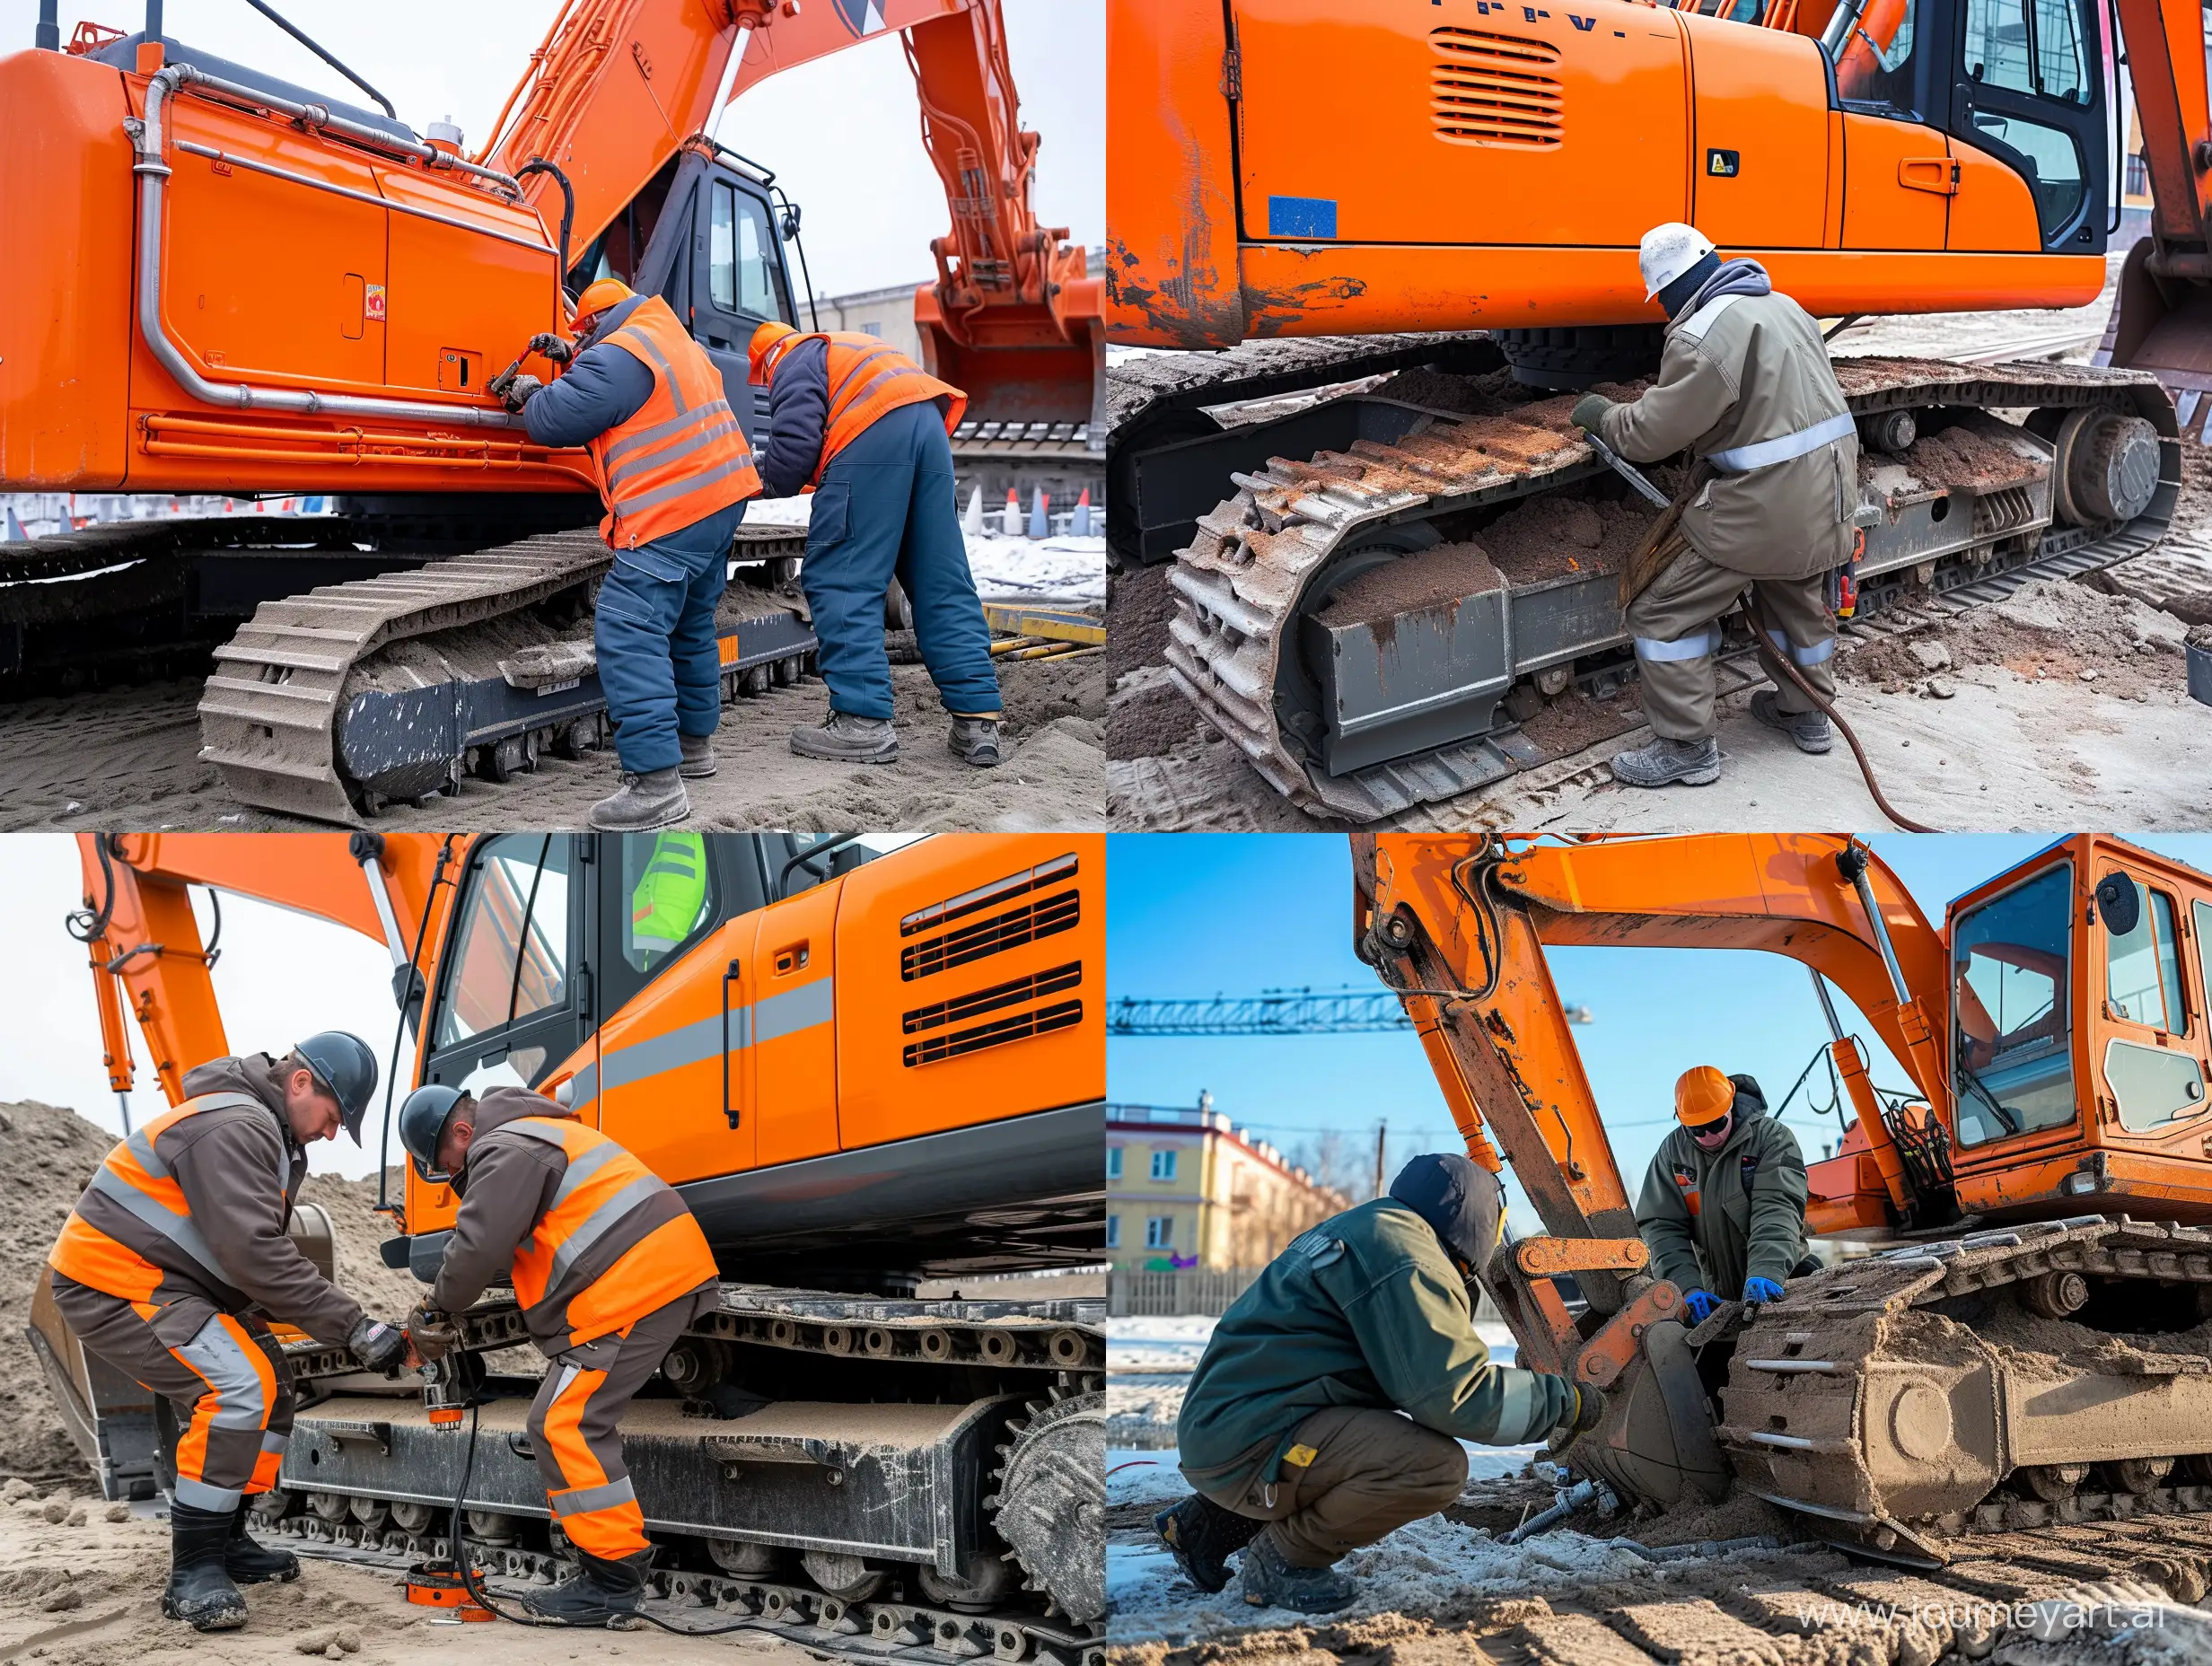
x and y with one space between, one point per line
1401 233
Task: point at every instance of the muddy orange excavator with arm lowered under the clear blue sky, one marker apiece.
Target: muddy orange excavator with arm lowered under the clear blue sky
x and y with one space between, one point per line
2038 1191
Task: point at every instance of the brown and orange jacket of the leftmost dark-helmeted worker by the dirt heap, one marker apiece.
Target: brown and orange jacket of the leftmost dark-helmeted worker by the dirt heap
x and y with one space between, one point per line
240 1172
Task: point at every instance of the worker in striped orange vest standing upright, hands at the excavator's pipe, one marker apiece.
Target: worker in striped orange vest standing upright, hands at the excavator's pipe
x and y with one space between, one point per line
676 472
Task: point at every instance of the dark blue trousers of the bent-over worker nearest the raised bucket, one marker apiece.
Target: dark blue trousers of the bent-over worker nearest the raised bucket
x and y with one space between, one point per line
886 508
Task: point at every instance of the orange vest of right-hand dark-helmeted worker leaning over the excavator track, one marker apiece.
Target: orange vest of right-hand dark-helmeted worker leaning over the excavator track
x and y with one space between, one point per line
603 1189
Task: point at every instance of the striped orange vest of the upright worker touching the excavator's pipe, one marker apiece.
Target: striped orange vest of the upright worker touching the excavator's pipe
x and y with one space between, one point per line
682 457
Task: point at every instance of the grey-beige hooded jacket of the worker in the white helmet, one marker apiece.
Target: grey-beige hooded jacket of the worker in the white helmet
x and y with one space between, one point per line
1744 366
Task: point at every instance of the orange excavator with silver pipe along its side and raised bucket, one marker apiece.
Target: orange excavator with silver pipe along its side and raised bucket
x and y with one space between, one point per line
244 287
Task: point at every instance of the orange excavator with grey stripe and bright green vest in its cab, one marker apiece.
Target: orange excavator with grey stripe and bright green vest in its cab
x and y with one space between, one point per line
862 1070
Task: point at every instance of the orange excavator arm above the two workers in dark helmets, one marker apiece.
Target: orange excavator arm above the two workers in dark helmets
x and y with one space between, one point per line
145 941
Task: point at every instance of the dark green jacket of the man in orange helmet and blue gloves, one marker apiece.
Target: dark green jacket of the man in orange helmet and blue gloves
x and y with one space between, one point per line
1718 1218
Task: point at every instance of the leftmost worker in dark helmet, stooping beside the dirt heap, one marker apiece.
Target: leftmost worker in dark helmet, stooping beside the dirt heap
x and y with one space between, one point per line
171 1269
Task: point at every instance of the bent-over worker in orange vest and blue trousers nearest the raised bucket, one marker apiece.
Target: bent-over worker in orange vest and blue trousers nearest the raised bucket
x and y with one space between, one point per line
868 433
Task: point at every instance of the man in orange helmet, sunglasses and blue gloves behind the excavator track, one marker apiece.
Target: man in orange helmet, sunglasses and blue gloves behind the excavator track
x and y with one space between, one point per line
1724 1200
